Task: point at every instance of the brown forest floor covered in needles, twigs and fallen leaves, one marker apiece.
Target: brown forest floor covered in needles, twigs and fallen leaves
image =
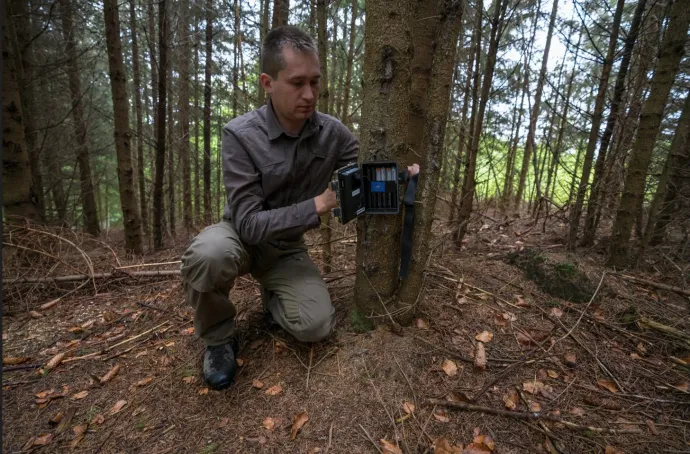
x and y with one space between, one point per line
561 377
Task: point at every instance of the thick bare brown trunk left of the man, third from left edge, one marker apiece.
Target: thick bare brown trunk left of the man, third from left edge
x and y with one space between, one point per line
125 172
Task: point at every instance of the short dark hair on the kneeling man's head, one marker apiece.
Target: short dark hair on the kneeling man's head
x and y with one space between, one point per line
272 54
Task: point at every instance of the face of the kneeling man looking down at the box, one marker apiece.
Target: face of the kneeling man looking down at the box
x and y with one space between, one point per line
295 91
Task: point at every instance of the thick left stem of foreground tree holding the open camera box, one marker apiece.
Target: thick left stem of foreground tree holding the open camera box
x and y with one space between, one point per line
384 128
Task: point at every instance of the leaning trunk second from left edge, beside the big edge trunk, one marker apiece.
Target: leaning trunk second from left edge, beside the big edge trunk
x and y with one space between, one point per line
90 210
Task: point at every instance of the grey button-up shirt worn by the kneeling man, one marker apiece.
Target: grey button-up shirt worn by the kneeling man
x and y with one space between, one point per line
271 177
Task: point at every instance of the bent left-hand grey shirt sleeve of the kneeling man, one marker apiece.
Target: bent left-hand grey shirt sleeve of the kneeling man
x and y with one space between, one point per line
253 223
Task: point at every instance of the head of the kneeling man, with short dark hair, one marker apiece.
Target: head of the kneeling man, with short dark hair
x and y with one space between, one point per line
290 74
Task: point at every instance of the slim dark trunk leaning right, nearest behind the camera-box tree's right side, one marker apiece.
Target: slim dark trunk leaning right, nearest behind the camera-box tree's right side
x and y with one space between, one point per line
469 183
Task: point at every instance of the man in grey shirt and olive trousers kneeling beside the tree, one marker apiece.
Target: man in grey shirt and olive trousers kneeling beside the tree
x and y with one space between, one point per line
277 161
